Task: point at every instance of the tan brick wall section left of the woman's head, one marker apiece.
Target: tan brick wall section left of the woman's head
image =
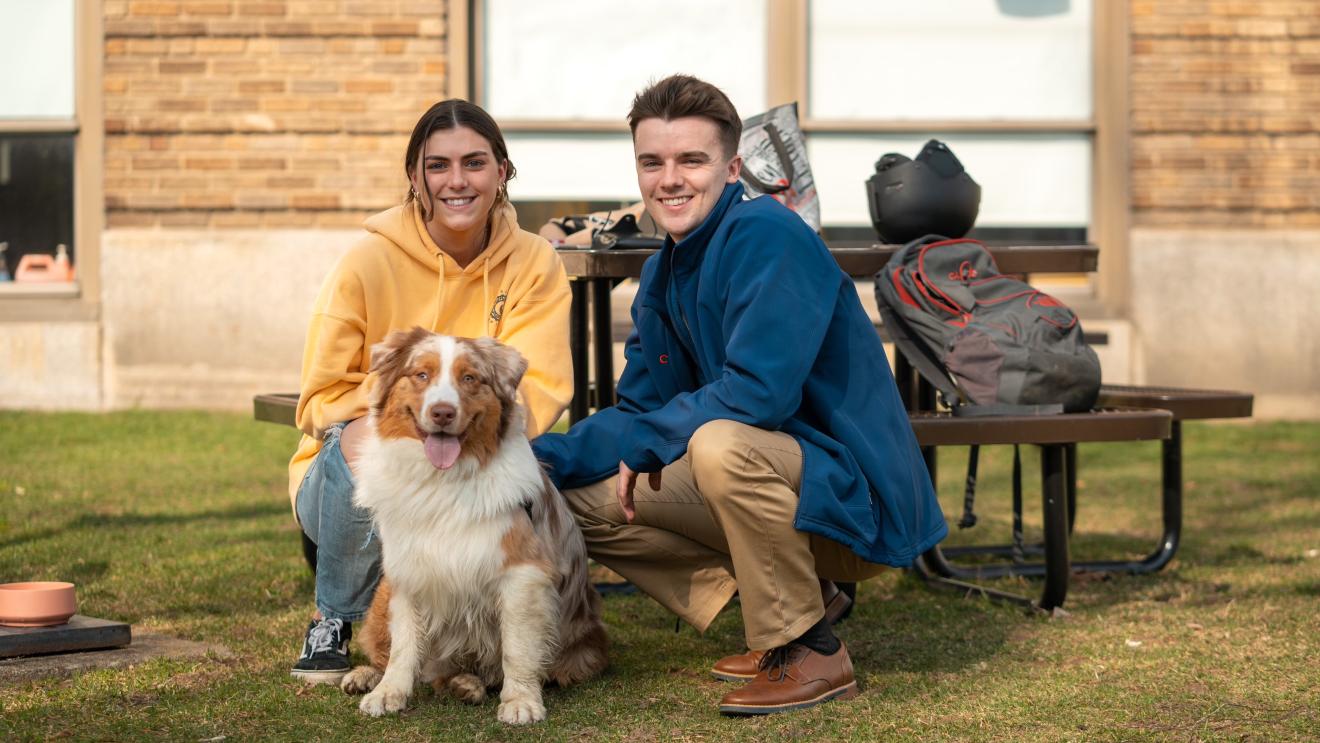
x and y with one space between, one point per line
265 114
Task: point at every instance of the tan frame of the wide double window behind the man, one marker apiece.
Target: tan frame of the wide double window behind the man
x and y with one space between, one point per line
787 79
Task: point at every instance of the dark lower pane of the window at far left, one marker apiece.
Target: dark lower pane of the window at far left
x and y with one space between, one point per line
36 195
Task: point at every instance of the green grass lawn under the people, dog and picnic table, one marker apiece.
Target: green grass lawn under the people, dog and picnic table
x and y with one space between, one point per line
179 523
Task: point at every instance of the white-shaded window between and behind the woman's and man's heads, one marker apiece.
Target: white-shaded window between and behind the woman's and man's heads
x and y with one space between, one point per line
563 98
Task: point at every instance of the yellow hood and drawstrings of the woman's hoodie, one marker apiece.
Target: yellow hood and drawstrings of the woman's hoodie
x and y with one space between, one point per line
405 228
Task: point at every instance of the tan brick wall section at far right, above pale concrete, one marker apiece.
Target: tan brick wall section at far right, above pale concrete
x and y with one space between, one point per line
1226 113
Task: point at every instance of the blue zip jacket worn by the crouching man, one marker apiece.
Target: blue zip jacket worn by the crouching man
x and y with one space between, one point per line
750 319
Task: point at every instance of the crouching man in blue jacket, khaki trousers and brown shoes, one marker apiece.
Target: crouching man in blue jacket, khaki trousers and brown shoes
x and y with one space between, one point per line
760 406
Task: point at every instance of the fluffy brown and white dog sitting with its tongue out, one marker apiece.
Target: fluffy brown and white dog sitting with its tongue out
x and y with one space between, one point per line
485 577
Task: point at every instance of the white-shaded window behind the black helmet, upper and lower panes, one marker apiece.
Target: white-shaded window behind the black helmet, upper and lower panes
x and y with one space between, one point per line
1006 85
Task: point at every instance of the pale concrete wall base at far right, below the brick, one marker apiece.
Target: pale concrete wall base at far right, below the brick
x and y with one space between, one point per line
1226 309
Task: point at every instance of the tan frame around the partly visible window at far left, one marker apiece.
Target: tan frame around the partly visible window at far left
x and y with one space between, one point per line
80 302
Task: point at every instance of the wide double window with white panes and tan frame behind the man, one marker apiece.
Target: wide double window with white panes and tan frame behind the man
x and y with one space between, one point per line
1021 90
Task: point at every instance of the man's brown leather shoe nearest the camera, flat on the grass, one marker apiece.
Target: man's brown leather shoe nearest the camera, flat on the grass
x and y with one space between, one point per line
794 678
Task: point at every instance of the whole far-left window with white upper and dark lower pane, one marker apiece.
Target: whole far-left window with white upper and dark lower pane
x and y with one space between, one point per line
51 142
